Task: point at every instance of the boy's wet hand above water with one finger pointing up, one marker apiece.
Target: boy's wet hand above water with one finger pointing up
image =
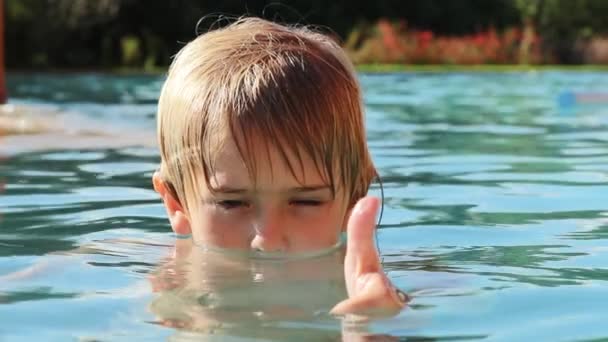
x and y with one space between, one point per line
370 292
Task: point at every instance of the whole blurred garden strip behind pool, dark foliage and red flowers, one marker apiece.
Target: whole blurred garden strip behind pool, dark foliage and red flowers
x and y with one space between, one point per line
143 35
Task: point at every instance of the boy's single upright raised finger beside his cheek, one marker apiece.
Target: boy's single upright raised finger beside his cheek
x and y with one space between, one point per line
361 254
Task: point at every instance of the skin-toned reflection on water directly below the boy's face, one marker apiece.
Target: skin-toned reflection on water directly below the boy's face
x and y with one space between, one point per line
211 293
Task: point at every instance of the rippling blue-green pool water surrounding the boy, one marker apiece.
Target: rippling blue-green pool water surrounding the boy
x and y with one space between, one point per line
495 219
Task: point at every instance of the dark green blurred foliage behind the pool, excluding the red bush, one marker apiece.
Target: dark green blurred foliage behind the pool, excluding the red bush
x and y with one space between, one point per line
85 33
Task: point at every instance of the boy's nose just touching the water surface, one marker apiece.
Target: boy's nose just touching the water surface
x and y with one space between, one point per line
269 235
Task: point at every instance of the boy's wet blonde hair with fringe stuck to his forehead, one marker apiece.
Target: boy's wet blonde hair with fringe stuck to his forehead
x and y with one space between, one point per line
290 86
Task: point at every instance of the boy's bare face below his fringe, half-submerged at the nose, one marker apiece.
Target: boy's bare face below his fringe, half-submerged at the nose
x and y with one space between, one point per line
276 212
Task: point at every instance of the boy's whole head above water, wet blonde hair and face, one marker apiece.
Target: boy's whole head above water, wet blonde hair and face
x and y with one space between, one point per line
259 121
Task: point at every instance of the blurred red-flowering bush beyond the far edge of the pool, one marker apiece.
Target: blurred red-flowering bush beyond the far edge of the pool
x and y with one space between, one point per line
393 42
